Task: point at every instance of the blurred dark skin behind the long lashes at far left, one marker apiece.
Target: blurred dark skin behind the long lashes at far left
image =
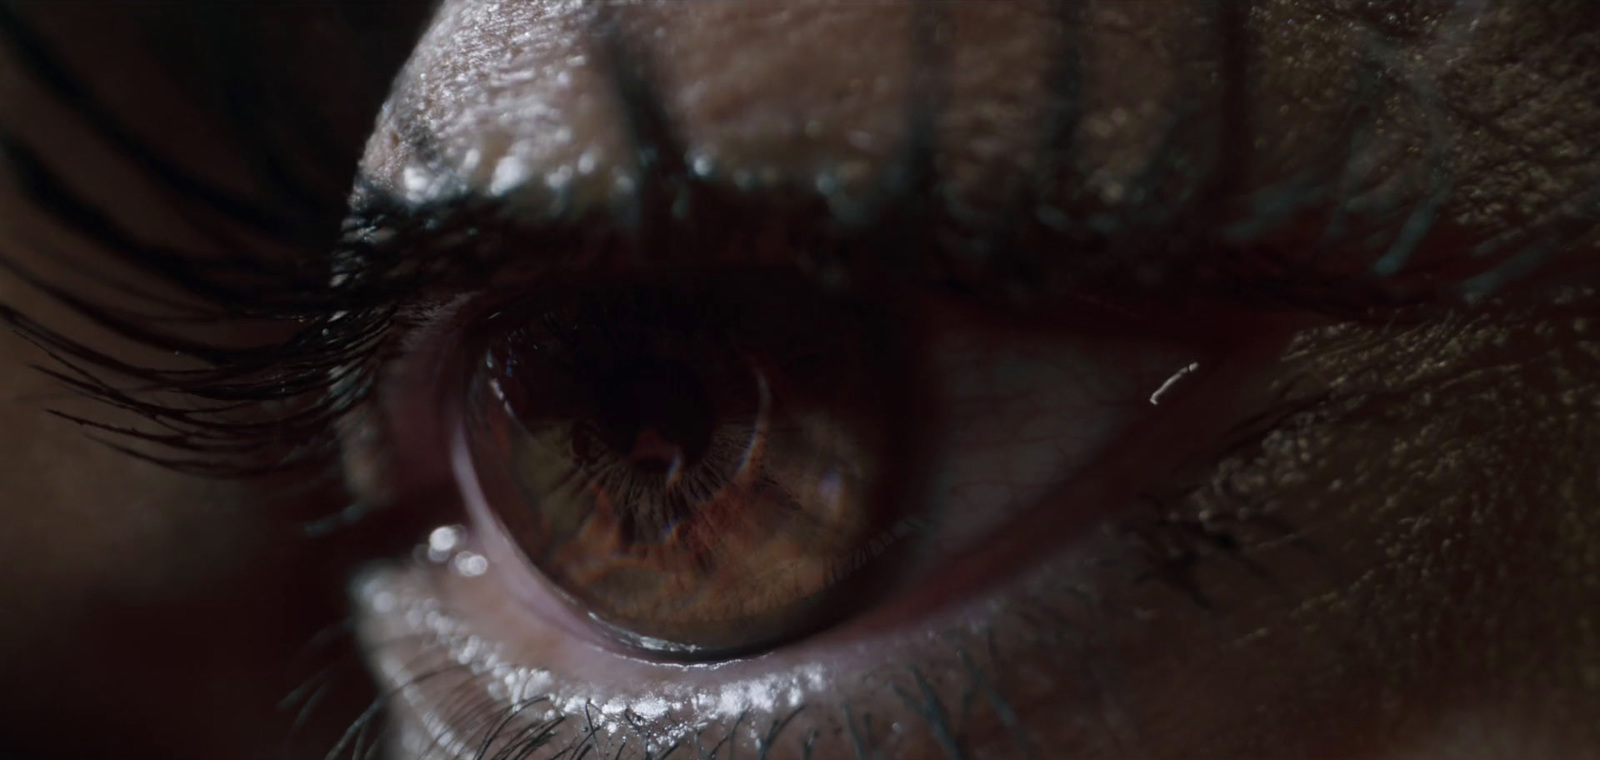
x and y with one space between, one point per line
150 614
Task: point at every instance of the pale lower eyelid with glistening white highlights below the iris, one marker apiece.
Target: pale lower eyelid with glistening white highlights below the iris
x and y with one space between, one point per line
465 668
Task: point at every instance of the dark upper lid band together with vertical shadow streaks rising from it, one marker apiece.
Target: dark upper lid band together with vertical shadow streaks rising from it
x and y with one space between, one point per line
689 218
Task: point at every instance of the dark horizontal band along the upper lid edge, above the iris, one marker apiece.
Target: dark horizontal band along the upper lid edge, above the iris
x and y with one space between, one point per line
470 242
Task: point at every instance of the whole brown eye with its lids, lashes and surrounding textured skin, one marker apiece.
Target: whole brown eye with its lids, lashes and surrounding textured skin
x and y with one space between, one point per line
1057 380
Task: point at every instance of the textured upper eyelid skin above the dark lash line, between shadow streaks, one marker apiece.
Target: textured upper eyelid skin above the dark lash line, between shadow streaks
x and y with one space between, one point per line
1412 100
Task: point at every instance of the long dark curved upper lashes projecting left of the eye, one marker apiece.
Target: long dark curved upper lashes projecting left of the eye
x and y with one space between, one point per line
214 426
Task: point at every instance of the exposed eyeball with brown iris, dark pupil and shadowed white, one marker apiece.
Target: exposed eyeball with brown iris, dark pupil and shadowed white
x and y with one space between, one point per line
703 478
